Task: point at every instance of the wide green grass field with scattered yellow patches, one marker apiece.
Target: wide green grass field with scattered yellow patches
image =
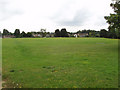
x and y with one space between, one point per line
60 62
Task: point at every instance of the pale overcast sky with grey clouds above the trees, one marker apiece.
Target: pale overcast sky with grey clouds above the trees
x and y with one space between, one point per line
74 15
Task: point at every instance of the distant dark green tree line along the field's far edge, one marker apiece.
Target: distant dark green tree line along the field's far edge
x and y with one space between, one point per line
58 33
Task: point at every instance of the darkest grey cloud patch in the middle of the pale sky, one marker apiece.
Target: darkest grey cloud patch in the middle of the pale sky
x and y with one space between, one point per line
80 17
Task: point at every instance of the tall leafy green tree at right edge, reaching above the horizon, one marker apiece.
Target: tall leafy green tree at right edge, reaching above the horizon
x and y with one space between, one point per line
114 21
